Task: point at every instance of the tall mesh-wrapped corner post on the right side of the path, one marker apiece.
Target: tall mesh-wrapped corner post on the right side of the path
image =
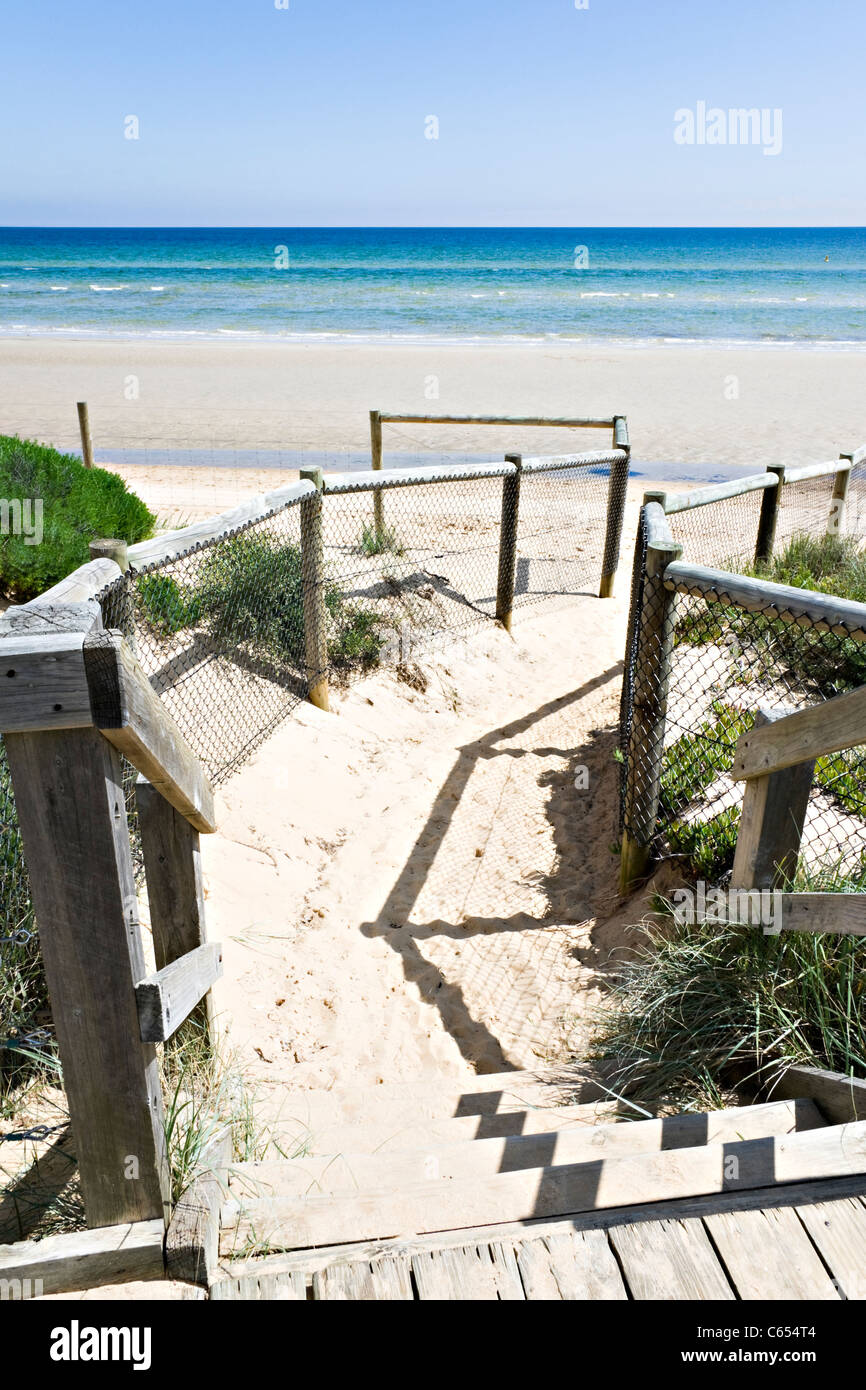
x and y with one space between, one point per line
651 682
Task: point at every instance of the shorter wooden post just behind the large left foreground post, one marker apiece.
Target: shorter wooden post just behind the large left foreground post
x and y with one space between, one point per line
176 893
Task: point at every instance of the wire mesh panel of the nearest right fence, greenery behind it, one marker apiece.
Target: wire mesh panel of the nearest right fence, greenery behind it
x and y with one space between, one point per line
700 668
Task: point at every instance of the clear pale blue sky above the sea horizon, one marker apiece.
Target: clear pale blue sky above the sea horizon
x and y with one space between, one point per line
316 115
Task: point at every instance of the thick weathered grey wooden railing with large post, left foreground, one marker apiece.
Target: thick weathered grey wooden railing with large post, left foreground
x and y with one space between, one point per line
73 700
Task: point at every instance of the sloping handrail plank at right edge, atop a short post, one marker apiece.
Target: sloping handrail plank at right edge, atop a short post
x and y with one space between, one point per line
803 737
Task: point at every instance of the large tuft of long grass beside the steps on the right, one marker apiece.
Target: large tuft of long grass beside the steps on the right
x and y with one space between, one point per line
700 1008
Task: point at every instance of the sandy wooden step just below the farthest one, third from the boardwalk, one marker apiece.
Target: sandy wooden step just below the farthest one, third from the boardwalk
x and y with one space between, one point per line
358 1136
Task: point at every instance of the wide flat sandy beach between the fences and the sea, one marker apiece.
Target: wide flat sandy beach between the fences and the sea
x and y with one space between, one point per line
685 404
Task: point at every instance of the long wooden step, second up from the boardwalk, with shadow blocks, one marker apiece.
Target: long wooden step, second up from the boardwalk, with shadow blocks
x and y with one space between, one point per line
350 1172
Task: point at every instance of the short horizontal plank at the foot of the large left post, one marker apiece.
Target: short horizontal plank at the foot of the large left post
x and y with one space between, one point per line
87 1260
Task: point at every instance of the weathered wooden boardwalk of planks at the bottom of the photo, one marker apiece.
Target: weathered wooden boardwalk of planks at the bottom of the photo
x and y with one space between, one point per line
804 1243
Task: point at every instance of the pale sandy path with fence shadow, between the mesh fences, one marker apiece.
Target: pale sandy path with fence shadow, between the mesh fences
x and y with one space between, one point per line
408 888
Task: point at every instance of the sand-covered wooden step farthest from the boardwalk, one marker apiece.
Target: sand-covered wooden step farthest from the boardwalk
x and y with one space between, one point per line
491 1095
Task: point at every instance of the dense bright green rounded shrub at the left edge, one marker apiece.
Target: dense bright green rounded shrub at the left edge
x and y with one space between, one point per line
79 505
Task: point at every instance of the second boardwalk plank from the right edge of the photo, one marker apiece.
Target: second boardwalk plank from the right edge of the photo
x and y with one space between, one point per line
769 1256
